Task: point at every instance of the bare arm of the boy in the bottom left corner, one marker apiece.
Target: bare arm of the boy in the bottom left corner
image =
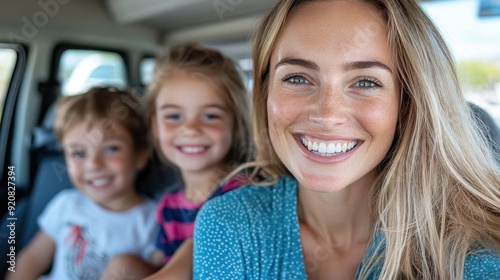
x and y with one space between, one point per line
35 259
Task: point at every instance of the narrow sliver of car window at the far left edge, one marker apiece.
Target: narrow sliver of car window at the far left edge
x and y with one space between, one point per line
8 58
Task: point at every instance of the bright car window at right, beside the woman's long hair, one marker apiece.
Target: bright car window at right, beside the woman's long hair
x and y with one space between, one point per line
471 30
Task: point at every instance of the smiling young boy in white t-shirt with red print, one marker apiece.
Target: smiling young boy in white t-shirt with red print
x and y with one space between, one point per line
105 145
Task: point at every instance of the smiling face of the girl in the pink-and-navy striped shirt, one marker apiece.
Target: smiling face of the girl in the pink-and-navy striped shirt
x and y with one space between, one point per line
193 125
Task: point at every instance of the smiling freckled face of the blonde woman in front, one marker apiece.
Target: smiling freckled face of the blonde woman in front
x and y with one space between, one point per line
333 97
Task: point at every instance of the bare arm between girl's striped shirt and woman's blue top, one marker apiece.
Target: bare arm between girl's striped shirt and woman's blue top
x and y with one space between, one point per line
180 265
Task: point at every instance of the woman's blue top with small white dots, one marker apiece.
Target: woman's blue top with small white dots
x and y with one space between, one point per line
253 233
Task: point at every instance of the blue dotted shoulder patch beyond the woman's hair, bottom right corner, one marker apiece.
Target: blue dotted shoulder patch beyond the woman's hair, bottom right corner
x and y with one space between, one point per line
484 264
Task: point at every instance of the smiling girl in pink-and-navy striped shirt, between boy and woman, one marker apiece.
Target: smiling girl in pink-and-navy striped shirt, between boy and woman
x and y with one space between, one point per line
198 108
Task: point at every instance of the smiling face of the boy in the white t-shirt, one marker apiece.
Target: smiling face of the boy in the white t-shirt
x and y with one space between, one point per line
103 163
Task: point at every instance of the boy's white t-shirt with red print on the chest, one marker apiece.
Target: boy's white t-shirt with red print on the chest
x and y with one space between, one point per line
87 236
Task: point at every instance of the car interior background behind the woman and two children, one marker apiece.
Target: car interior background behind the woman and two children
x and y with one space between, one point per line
50 48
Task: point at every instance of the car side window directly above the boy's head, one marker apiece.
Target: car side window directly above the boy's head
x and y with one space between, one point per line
79 70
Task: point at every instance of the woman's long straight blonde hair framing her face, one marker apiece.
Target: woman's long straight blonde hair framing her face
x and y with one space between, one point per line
437 197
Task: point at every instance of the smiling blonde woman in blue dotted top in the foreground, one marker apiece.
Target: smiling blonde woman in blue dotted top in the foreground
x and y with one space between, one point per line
375 168
